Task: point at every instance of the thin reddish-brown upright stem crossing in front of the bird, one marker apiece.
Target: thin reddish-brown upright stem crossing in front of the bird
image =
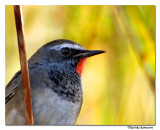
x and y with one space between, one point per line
24 65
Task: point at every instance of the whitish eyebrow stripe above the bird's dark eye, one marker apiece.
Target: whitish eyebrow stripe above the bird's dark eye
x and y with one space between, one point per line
58 47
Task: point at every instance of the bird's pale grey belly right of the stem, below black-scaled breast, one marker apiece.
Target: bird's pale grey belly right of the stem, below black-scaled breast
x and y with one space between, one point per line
52 109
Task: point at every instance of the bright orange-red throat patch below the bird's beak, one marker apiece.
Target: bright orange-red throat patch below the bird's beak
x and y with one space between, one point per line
80 66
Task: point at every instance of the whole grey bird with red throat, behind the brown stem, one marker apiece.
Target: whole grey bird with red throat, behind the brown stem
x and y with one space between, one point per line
55 72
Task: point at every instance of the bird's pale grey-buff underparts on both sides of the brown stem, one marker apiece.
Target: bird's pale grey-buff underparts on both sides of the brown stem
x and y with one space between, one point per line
48 109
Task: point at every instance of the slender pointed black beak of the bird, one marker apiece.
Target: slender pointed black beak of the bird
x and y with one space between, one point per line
88 53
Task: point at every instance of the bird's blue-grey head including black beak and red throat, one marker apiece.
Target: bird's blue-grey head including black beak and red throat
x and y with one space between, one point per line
66 54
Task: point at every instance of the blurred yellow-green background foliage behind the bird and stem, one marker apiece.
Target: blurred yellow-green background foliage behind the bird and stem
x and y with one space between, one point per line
118 86
